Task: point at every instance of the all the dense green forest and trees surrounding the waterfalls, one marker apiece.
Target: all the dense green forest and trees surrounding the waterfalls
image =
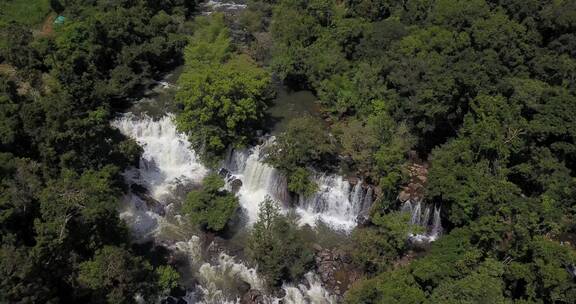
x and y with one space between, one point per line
482 91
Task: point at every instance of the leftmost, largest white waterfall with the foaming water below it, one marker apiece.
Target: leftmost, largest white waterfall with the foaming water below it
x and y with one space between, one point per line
167 163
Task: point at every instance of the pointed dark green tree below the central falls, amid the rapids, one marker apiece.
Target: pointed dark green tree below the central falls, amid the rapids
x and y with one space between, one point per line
276 246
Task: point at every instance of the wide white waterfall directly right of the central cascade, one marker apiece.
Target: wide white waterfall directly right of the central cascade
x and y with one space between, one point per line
336 204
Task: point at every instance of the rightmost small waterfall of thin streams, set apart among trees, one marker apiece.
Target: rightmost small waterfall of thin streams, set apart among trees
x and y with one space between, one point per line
420 215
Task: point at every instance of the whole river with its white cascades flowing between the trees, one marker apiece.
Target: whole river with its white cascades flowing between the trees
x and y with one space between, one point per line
169 168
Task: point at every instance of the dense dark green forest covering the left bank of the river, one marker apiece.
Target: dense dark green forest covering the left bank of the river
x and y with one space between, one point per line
59 157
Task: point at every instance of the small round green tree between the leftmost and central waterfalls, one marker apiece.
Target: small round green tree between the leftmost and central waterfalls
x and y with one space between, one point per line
210 207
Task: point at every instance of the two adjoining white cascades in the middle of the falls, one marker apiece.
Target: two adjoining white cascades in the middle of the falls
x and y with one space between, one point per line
337 203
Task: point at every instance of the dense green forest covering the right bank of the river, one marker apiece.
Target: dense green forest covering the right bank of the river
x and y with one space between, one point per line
483 90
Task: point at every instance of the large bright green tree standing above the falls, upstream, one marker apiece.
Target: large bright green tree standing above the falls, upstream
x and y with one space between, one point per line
223 94
